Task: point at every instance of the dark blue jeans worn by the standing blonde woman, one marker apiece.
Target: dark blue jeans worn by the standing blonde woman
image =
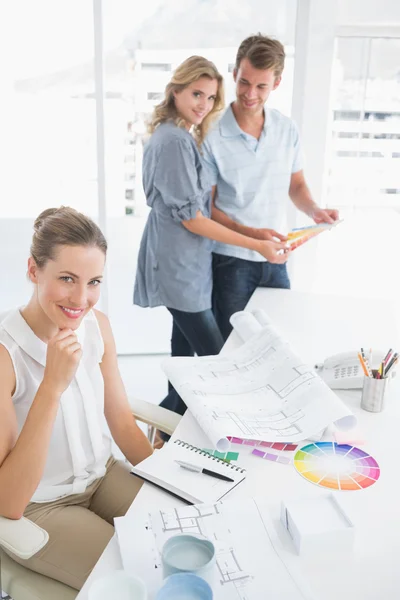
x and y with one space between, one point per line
192 333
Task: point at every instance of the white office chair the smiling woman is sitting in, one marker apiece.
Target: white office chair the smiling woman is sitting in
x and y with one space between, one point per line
24 538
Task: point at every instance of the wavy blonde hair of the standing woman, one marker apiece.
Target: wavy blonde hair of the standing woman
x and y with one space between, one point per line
188 72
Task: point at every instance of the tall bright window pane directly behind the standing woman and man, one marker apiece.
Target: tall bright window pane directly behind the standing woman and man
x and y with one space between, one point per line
138 66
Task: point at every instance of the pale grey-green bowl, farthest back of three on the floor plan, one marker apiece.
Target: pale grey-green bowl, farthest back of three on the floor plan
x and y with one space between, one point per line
189 554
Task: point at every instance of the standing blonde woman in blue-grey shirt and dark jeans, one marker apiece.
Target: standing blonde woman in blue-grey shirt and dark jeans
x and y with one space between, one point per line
175 258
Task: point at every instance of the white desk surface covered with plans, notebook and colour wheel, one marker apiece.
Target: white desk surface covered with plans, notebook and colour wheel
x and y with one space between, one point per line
317 326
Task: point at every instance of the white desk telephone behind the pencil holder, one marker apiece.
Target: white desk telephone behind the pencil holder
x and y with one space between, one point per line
343 371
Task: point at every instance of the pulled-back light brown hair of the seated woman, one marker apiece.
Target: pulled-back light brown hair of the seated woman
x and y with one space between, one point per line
63 226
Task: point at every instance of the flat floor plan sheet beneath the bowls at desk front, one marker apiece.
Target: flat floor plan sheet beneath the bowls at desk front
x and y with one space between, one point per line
250 562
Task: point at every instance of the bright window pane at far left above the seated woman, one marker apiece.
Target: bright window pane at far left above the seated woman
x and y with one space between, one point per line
47 124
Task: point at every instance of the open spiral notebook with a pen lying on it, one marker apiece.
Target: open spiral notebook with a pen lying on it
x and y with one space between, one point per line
195 488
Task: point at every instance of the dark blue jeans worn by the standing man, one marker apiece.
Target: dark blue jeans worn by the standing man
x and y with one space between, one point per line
234 282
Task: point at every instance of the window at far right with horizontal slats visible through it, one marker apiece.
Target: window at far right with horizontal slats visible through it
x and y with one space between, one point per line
365 126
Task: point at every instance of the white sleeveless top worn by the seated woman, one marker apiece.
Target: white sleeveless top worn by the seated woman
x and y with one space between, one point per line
80 444
